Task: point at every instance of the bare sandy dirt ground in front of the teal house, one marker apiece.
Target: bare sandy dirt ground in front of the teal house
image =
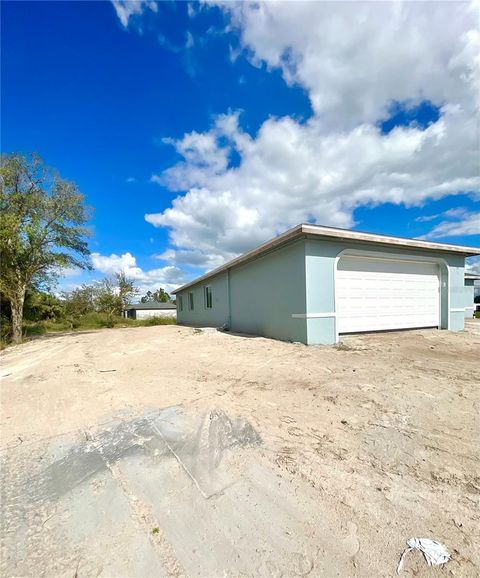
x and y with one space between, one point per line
167 451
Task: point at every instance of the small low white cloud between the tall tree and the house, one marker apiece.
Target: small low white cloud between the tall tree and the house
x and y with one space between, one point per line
167 277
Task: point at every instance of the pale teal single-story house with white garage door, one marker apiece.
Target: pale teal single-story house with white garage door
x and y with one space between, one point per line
313 283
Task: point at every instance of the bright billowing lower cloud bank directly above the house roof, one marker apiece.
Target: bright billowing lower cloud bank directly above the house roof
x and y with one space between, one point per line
292 173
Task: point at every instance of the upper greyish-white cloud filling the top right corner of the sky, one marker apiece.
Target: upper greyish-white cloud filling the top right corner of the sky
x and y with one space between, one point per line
354 58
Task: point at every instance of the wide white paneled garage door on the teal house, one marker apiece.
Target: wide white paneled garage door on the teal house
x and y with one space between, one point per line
376 294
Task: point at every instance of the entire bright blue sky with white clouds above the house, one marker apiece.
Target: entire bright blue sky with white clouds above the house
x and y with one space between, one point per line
198 131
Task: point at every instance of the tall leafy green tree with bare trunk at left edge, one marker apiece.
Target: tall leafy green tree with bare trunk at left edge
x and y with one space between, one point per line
42 229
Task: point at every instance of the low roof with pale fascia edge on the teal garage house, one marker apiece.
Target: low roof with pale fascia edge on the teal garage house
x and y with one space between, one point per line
332 233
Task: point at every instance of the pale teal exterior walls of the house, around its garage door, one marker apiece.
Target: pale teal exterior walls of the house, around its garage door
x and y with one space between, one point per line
289 292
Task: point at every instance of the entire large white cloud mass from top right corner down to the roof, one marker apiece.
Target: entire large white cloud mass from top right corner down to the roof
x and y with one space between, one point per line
354 60
